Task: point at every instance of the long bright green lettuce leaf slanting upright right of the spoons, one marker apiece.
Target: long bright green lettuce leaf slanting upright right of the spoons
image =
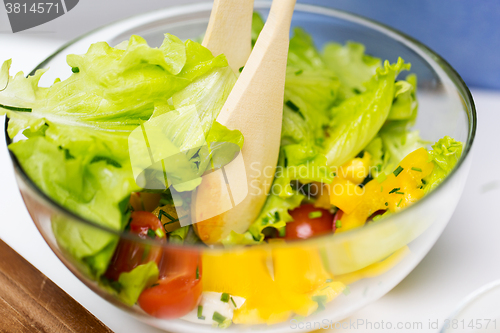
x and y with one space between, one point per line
357 120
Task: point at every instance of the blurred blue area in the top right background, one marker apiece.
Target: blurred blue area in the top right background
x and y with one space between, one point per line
465 33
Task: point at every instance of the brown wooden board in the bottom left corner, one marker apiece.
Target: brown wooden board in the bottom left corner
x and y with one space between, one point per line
30 302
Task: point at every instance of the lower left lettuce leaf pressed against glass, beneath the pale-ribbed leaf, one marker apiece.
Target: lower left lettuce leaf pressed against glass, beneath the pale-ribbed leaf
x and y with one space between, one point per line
93 188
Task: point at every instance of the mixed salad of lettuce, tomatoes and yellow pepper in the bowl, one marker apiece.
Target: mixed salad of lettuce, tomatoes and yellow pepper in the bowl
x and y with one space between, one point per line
348 157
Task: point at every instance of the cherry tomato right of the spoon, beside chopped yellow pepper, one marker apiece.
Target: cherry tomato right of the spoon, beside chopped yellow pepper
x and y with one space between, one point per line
305 225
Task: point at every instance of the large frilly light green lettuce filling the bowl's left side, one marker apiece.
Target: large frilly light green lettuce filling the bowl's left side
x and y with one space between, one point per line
77 130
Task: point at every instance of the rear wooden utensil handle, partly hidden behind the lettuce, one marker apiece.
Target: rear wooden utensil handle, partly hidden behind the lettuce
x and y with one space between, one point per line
230 31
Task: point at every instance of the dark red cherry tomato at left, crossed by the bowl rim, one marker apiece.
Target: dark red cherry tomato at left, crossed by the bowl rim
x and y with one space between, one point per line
129 254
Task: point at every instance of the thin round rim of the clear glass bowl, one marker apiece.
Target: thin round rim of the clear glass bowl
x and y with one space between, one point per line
458 82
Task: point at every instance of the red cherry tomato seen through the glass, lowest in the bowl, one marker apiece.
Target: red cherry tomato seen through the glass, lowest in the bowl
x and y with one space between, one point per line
179 288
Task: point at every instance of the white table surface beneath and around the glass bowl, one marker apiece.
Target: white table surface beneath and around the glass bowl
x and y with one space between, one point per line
465 257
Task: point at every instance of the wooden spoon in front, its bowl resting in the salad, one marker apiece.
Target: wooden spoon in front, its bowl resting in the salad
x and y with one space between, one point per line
255 107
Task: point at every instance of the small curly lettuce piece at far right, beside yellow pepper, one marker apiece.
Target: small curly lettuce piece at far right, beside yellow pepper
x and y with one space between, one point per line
445 154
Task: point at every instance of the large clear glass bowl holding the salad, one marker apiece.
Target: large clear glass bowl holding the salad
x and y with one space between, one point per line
370 260
